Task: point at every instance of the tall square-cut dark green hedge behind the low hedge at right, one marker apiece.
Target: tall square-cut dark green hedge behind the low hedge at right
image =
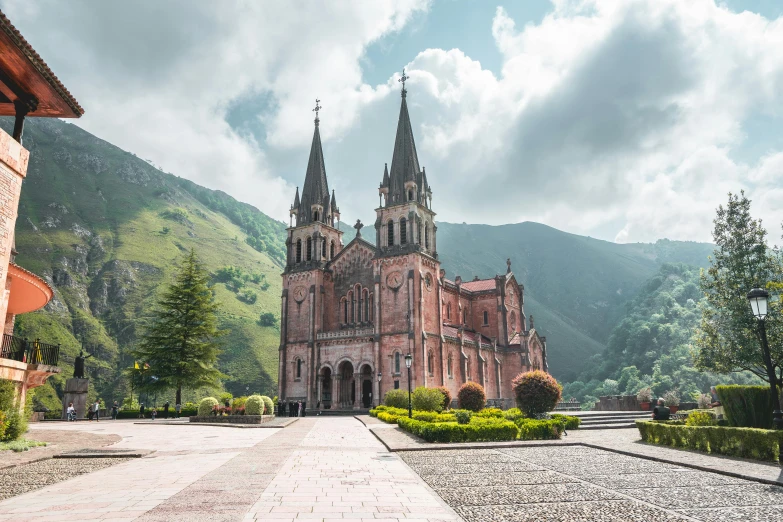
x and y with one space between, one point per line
746 406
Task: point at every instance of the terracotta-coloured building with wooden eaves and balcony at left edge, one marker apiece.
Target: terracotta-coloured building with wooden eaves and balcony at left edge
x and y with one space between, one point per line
27 88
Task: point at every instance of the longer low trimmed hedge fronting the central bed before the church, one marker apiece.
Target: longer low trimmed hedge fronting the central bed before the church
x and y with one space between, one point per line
486 430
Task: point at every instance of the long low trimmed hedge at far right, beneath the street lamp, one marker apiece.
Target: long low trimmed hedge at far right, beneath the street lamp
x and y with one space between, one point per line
750 443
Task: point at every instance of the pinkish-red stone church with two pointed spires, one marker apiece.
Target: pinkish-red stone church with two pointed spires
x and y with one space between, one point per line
350 313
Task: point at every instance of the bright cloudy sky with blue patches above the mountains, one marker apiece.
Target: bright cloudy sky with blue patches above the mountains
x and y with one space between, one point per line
628 120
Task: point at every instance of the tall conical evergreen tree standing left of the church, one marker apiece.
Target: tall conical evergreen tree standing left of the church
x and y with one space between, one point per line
180 343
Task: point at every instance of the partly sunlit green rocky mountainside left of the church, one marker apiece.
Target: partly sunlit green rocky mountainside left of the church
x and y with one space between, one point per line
106 229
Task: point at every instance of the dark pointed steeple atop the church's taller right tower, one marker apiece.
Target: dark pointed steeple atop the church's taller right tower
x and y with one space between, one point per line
405 161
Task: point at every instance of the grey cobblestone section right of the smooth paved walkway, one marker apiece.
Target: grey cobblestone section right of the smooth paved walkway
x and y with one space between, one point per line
571 483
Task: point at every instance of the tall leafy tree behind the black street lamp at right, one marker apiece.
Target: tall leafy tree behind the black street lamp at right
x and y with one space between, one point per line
728 335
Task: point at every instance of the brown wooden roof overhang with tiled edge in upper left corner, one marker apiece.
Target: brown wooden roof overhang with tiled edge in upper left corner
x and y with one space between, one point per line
27 86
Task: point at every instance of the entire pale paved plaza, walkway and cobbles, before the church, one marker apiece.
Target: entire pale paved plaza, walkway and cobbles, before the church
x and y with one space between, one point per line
334 468
